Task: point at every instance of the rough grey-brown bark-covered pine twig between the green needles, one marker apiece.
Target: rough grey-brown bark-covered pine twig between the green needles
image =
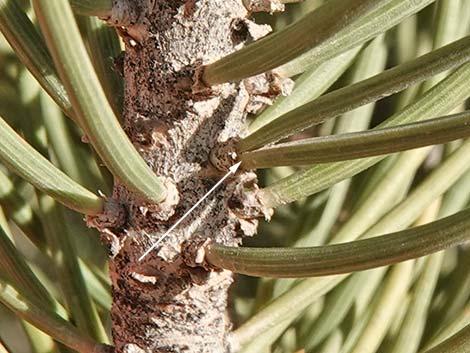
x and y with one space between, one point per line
170 302
